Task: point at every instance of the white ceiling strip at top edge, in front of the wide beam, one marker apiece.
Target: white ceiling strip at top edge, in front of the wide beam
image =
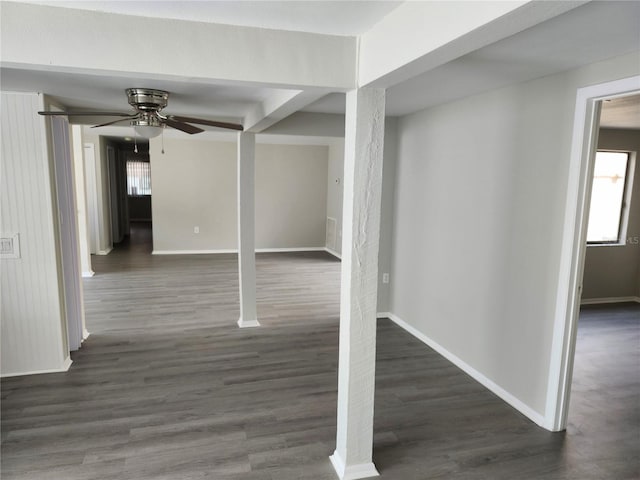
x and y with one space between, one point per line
349 18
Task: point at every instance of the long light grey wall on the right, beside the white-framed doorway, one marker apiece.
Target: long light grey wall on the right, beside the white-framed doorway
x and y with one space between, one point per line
481 185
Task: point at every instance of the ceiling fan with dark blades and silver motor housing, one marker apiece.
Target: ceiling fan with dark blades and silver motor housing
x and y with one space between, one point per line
147 120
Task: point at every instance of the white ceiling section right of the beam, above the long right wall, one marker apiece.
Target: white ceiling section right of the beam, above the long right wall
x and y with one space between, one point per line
587 34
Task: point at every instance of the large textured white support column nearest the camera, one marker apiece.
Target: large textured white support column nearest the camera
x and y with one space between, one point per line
364 140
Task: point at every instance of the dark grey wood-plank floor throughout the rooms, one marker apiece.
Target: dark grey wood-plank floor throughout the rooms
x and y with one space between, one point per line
167 387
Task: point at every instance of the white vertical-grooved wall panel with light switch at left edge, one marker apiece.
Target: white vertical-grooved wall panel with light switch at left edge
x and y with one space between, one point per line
33 337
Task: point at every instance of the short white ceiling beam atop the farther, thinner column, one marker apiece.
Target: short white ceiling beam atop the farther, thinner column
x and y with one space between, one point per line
278 106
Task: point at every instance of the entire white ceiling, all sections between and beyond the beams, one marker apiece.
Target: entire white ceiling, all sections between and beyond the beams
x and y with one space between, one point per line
586 34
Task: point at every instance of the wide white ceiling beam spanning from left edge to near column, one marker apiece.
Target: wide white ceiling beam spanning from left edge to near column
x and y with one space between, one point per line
70 40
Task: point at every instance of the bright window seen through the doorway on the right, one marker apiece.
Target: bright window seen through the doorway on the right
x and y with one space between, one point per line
608 198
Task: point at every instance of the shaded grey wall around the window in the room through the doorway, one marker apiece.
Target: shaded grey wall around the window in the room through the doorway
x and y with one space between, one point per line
612 271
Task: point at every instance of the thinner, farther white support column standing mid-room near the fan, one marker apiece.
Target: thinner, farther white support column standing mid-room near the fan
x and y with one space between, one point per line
246 229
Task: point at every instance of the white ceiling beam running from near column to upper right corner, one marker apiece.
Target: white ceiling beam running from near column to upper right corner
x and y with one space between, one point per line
419 36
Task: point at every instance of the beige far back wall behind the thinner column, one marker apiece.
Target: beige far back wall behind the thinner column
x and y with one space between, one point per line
194 184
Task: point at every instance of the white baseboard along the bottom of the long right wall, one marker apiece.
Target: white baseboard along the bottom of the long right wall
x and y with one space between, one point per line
519 405
